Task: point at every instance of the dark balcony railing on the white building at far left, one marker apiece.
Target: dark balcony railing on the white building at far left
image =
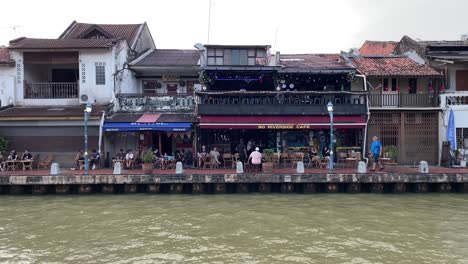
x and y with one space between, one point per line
51 90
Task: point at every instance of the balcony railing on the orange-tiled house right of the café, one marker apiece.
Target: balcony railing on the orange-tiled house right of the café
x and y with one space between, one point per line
403 100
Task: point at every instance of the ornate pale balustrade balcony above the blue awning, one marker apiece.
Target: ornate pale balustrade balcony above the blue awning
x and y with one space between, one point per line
153 102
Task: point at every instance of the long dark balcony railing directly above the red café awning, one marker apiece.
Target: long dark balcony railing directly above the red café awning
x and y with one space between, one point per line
280 103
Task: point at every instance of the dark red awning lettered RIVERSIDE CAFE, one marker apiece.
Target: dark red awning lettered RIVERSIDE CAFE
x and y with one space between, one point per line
281 122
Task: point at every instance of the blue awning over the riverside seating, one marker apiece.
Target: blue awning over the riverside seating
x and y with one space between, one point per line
176 127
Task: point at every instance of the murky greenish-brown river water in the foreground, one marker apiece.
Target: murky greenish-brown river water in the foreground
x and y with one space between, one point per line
251 228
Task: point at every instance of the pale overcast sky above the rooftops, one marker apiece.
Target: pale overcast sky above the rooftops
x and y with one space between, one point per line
313 26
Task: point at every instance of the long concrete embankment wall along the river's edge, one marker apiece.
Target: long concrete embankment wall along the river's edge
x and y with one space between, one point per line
234 183
